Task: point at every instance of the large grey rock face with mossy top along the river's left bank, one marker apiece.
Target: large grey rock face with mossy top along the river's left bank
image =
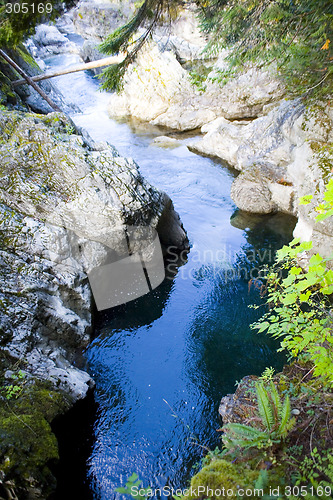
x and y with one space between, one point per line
61 200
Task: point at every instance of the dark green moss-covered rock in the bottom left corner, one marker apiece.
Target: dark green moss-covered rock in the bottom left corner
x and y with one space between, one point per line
27 443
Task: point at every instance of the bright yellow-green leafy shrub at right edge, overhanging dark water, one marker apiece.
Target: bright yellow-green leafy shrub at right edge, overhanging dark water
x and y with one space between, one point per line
298 310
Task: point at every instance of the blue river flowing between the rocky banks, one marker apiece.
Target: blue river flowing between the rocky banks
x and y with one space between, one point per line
162 363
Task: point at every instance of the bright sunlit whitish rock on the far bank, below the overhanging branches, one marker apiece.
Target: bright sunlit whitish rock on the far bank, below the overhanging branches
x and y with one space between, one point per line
157 89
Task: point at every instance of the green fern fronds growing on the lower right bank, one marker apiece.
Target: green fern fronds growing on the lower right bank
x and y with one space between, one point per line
275 418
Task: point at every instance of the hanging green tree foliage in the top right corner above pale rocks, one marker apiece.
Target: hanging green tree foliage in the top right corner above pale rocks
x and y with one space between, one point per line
296 36
